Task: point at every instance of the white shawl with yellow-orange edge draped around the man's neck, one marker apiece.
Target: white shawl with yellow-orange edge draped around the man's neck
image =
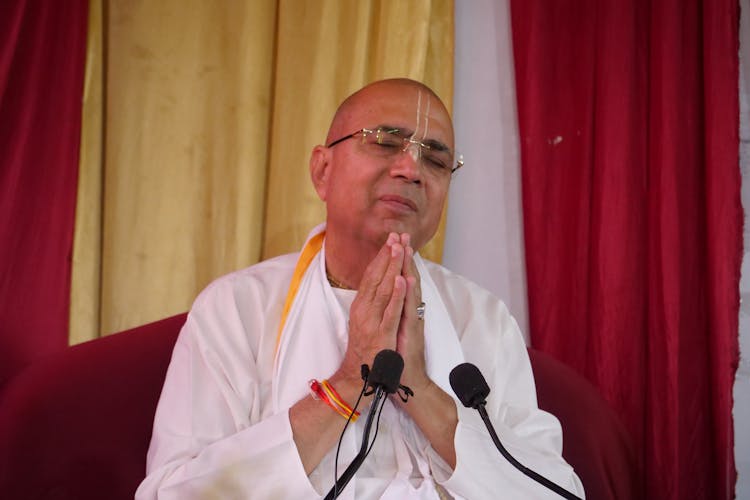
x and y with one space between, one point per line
313 340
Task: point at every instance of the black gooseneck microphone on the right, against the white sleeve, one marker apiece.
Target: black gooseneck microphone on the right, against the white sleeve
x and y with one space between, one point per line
472 390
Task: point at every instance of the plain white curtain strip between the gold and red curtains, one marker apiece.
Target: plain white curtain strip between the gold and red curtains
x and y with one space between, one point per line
484 231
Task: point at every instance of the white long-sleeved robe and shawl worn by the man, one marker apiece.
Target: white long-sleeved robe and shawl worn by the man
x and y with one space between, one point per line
222 426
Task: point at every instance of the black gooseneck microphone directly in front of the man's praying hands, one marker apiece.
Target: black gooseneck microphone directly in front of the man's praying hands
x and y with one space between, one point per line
384 378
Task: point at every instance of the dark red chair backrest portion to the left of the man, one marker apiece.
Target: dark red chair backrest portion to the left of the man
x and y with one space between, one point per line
77 425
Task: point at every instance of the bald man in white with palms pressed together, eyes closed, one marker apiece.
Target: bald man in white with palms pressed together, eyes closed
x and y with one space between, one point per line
238 415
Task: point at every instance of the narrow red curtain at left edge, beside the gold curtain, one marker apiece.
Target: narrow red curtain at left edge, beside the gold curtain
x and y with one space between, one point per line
42 55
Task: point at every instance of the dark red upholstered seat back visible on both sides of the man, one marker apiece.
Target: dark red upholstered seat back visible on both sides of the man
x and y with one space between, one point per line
77 425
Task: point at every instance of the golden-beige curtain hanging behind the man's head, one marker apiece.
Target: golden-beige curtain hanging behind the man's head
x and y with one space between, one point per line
198 121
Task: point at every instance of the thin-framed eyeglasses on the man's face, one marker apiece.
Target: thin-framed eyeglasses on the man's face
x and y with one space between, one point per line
387 143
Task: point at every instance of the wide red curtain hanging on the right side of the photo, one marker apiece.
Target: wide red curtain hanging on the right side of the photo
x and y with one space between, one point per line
629 120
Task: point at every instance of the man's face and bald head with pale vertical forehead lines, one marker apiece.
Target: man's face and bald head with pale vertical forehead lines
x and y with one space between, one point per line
367 194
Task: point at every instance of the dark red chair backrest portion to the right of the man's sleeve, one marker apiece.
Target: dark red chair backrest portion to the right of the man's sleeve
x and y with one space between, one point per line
595 442
